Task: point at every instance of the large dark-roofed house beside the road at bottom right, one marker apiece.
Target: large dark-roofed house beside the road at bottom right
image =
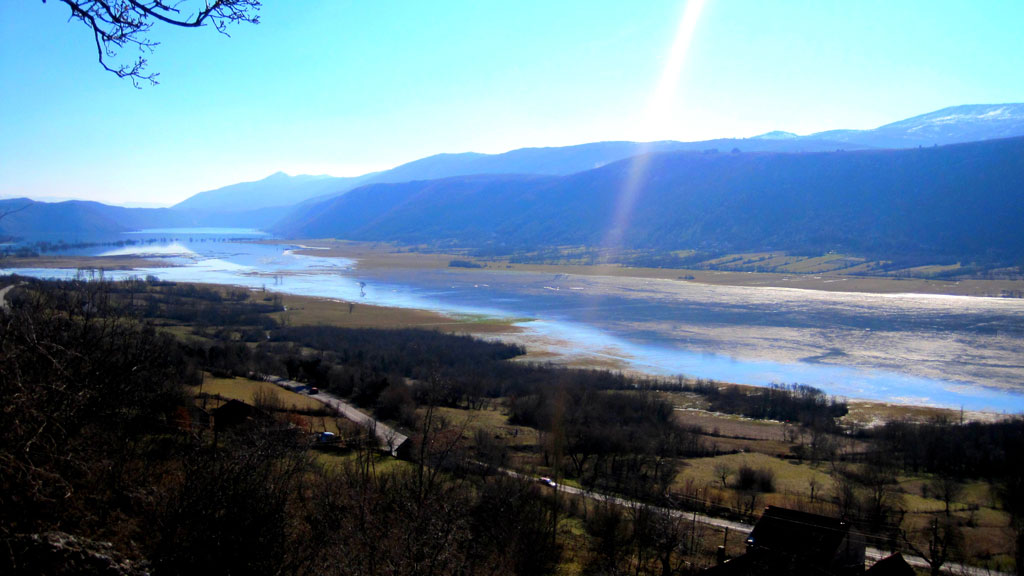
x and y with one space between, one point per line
787 542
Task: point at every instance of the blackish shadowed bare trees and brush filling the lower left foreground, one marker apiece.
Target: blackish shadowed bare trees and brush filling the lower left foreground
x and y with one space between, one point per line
103 472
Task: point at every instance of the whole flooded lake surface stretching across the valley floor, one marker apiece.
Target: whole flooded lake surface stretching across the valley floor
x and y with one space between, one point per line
942 351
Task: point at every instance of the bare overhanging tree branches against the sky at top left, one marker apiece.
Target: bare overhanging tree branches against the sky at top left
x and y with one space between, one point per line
117 25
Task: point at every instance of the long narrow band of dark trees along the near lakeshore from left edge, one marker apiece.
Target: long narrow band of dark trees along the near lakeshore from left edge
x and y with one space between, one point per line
385 371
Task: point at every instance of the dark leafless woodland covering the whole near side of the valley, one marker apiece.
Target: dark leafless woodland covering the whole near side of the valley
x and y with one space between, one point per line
101 450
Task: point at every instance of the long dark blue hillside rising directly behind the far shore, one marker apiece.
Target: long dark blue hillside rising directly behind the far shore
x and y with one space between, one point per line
958 202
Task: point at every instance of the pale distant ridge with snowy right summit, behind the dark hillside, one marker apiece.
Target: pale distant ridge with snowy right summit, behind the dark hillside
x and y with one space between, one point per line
951 126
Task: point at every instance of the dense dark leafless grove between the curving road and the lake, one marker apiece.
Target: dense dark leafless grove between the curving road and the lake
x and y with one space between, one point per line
596 431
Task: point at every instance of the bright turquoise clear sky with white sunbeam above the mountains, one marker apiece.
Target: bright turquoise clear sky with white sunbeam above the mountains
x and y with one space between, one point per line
346 88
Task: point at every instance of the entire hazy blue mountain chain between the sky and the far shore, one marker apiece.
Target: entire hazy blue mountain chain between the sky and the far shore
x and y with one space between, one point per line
831 191
